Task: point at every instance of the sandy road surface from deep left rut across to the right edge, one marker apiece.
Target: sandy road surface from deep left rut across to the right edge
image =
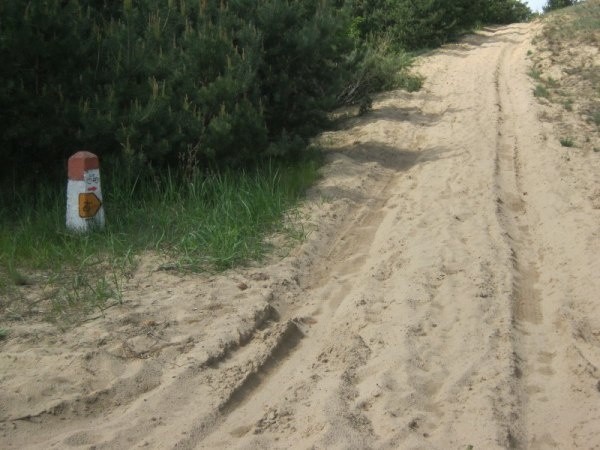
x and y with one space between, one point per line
433 321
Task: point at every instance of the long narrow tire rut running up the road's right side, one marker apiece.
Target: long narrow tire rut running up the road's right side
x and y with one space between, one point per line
515 218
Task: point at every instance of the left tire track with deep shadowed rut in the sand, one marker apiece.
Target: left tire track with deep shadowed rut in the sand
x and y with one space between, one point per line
246 410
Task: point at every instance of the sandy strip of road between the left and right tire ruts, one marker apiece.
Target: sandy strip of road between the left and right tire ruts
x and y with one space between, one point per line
410 345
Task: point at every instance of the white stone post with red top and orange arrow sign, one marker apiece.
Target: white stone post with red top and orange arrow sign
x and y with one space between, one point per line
84 196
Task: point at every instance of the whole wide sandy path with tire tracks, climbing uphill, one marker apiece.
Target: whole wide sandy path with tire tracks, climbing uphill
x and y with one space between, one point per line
447 299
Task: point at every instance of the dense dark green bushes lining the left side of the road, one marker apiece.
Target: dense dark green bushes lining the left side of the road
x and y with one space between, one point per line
215 82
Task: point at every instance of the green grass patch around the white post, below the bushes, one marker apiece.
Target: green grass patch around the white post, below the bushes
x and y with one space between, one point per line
201 221
